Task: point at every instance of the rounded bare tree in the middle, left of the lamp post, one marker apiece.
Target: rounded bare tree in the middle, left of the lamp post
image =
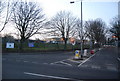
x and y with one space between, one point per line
63 25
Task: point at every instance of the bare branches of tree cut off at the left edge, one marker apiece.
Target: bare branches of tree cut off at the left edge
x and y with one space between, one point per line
5 13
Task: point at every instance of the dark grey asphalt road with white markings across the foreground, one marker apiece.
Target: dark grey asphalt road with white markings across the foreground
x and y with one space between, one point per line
101 65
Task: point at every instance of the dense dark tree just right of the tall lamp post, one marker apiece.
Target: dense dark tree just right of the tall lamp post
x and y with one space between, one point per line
96 30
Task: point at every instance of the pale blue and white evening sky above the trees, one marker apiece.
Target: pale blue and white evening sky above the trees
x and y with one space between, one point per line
92 9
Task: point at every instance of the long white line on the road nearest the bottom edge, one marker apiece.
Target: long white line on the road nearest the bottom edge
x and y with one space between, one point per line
47 76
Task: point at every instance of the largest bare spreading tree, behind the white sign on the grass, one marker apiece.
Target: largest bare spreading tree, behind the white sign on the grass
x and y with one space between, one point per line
29 19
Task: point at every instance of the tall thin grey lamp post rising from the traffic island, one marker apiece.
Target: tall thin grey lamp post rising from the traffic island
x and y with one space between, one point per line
81 27
